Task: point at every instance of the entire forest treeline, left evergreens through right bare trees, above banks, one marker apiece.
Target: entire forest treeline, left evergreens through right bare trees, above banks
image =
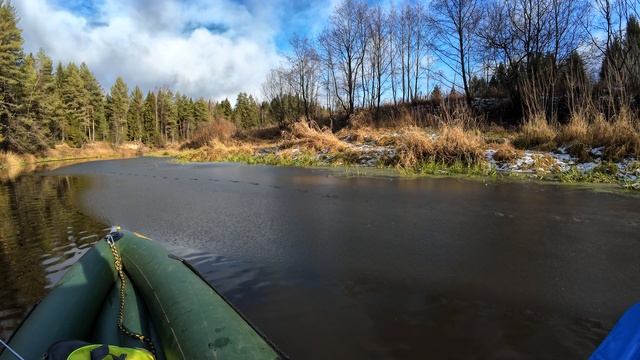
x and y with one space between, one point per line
541 58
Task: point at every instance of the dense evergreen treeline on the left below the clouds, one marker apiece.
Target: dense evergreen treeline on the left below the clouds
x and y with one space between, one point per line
42 104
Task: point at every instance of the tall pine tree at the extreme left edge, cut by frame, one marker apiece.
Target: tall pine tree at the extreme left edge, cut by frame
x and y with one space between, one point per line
11 59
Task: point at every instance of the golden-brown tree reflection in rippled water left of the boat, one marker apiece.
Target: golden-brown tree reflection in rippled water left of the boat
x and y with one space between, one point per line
40 231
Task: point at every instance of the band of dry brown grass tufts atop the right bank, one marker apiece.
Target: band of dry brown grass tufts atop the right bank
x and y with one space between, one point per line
456 137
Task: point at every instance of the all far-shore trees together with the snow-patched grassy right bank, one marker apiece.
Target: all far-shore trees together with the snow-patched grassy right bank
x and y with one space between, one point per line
459 83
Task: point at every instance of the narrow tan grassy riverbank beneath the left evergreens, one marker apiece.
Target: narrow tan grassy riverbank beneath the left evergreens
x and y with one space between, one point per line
13 165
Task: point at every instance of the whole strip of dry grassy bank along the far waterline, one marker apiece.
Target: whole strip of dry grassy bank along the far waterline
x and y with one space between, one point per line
586 149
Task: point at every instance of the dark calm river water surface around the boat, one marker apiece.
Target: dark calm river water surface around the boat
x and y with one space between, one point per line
350 267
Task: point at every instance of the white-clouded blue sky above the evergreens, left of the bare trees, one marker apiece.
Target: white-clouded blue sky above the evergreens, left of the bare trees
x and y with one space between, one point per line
209 48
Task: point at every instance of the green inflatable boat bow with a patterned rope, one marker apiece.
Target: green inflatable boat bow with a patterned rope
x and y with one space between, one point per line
164 307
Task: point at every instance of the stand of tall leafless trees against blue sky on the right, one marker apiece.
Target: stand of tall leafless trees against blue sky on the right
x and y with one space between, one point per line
539 56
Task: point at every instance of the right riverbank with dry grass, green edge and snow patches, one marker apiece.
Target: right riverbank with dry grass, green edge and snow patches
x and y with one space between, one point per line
445 150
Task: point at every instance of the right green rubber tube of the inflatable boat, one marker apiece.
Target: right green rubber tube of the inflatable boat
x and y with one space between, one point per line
192 320
